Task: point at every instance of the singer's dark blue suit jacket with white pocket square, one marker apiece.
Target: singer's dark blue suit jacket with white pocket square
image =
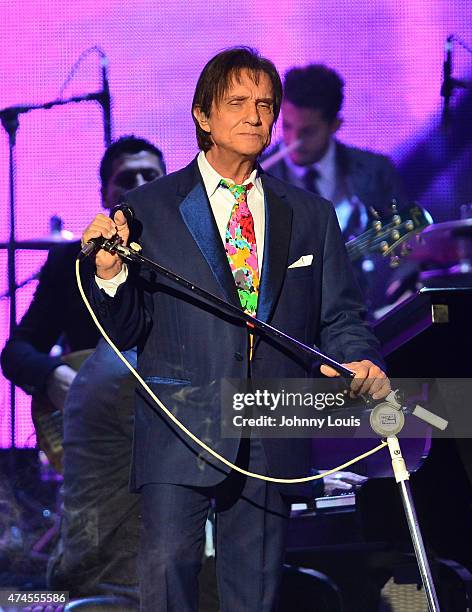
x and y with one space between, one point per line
185 348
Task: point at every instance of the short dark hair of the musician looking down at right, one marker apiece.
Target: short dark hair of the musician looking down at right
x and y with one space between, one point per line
315 86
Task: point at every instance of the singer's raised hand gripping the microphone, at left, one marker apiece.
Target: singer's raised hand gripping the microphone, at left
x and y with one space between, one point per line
107 264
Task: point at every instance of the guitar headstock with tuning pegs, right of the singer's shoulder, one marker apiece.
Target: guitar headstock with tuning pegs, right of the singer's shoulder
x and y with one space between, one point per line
389 237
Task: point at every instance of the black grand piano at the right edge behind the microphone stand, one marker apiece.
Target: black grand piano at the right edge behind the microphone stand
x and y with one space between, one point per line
360 540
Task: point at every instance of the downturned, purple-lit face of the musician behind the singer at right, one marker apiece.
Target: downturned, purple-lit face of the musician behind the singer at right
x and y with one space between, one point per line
309 126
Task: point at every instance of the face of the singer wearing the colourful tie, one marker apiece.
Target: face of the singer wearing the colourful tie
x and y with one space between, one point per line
240 124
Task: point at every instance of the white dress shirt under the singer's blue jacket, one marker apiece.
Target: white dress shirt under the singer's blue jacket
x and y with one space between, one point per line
221 202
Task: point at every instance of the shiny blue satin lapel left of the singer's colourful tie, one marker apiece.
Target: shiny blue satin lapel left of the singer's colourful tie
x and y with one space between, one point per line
198 217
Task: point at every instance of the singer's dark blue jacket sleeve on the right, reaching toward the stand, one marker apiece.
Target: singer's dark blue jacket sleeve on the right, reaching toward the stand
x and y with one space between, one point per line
345 334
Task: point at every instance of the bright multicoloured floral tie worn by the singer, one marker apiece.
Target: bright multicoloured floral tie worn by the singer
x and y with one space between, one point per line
241 249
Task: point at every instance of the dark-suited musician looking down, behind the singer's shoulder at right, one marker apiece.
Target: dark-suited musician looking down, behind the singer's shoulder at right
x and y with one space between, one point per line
355 180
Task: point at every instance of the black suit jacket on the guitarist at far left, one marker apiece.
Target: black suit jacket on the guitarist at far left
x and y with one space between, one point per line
56 313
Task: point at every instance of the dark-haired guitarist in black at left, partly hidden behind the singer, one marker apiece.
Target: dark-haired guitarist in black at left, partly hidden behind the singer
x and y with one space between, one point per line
97 550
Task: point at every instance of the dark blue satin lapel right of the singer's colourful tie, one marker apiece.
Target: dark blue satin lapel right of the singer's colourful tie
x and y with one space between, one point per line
278 226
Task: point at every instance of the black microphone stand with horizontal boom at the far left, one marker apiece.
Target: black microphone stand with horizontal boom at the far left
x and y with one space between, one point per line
9 118
